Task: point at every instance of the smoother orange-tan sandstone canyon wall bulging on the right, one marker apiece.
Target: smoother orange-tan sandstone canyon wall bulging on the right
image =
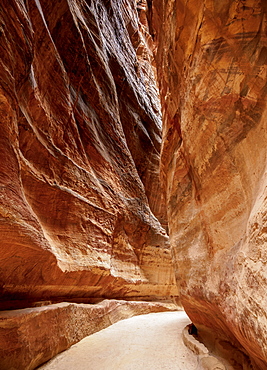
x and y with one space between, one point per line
212 60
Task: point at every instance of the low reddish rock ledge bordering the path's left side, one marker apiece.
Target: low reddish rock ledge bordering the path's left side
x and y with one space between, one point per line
31 336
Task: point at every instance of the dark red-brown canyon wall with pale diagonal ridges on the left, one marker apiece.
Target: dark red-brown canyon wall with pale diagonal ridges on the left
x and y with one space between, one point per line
79 144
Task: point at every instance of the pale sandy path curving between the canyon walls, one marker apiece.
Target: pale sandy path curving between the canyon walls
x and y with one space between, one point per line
144 342
